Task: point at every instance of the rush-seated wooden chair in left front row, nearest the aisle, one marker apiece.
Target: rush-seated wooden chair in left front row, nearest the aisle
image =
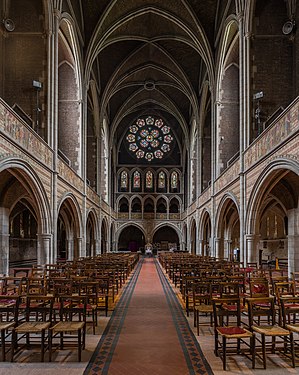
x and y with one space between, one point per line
71 329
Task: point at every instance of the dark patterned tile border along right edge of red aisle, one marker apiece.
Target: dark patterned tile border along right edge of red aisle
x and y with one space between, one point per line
195 359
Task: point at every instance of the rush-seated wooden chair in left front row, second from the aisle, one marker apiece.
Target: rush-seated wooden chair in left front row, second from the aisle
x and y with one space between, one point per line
39 310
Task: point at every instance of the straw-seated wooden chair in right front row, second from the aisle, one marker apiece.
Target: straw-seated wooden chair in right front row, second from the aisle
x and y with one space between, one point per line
261 315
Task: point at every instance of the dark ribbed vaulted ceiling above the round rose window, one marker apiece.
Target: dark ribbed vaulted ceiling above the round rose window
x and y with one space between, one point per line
149 57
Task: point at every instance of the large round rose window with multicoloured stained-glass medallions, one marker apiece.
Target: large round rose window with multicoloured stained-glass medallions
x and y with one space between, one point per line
149 138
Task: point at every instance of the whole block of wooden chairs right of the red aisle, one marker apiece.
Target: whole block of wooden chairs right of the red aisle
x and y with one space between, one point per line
252 310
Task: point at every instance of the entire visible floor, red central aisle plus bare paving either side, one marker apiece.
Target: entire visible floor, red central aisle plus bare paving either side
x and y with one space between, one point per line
148 333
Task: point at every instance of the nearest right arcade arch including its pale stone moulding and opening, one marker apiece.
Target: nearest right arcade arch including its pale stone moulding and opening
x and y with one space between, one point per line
272 221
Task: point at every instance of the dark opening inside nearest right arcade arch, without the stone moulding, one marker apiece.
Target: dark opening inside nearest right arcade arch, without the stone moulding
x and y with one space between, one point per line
276 229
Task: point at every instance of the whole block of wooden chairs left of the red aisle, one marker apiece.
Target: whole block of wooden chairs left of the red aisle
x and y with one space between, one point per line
51 305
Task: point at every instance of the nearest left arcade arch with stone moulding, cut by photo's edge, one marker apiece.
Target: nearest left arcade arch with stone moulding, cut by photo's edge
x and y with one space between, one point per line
25 216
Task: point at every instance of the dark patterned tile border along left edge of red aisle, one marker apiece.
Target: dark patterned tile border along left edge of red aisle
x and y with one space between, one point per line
102 356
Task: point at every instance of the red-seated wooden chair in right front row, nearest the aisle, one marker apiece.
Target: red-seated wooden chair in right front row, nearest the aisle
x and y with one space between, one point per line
234 338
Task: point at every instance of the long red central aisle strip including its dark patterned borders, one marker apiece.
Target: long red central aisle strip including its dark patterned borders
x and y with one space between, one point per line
148 333
